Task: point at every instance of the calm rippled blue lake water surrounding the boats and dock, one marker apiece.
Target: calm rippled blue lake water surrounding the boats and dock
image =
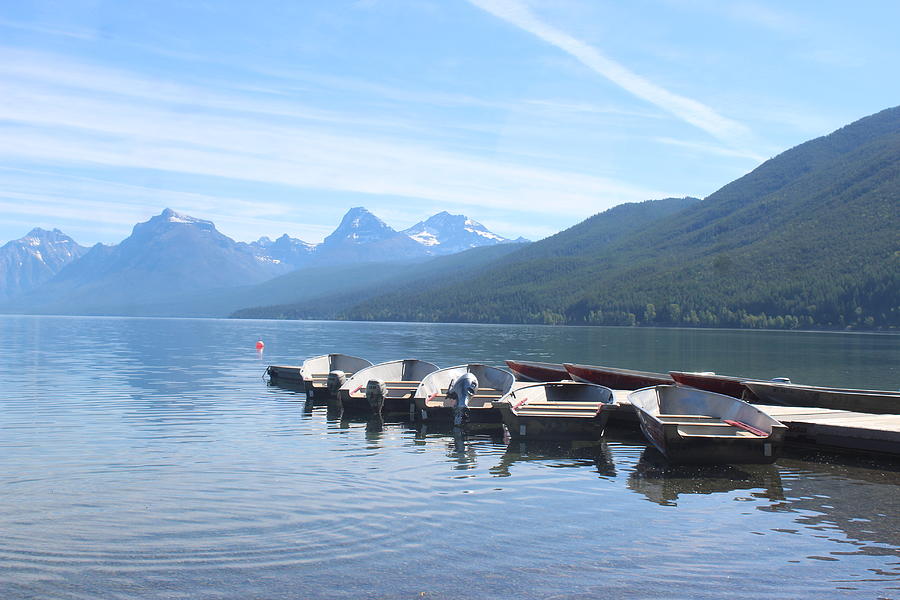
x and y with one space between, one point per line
148 458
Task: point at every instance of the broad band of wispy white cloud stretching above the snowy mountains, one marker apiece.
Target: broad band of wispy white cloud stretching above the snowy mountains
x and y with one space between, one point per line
67 114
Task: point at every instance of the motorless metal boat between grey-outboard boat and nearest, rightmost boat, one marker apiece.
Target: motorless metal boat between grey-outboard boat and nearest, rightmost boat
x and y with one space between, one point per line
562 409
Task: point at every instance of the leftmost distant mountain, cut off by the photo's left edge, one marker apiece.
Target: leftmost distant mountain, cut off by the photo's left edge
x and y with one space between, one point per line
34 259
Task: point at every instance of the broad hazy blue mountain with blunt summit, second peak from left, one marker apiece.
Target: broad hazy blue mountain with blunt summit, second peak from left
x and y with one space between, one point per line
168 255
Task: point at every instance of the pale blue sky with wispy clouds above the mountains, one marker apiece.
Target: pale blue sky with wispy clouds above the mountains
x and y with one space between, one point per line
529 116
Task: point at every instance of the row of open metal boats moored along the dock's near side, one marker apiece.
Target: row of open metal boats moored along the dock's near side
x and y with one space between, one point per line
547 401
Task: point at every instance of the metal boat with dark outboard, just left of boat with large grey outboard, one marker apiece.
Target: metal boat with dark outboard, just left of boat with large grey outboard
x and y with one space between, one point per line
385 387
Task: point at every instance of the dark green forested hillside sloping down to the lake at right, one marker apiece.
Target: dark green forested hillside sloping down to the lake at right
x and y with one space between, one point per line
808 239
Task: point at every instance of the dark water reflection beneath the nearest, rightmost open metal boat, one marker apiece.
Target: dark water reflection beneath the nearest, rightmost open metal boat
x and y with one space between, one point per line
663 483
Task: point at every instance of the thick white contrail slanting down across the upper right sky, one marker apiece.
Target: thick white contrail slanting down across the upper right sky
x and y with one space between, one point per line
689 110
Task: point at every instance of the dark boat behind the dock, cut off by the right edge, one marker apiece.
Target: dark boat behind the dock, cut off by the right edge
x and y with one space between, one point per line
792 394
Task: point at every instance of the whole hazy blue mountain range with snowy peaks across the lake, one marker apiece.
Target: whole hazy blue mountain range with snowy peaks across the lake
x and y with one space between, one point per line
169 263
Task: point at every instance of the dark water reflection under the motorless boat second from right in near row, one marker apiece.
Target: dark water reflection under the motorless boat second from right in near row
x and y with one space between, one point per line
558 454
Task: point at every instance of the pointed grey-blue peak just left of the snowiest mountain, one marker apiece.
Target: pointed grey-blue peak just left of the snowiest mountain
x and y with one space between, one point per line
363 237
